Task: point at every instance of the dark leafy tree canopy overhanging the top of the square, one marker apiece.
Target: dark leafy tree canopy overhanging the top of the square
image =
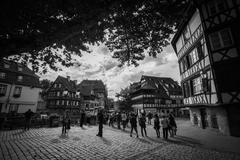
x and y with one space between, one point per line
36 30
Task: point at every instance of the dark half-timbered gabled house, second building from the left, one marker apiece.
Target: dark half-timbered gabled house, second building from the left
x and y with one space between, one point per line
63 96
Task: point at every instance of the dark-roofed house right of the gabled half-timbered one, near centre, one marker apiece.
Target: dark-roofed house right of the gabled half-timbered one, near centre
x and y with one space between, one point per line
94 94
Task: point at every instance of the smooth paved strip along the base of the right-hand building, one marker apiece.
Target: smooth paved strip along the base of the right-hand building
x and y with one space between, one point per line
206 138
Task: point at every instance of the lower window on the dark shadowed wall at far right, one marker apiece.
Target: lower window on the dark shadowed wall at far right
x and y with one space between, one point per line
221 39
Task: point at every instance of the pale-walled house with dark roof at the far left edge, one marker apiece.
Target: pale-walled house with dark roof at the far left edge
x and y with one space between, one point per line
19 88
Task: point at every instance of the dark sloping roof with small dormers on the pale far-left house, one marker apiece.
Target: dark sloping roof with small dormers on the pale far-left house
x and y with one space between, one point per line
29 77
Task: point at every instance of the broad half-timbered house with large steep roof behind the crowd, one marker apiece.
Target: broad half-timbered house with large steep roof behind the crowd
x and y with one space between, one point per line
156 94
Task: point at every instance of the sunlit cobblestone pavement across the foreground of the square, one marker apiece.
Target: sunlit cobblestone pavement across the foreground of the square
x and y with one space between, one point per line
48 143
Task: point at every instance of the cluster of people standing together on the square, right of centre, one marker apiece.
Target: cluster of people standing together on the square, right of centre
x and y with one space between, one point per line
166 122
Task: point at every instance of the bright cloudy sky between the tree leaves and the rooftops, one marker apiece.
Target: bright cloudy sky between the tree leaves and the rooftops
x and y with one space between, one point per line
100 65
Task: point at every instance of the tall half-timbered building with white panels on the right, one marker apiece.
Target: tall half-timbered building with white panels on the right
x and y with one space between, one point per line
207 47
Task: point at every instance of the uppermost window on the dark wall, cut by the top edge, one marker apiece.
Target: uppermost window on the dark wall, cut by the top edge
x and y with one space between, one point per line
216 6
